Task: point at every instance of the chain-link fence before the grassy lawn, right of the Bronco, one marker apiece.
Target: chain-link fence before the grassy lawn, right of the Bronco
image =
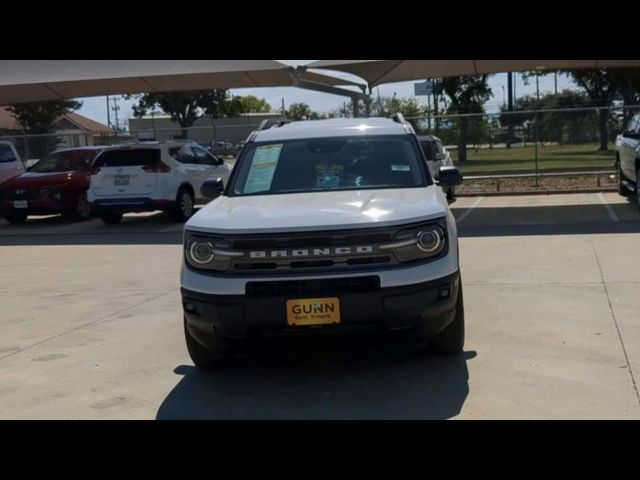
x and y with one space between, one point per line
576 139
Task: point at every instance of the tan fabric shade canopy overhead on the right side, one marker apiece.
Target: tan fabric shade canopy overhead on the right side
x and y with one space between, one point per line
376 72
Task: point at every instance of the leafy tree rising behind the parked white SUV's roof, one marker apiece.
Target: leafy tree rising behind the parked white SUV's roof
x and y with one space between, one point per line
185 108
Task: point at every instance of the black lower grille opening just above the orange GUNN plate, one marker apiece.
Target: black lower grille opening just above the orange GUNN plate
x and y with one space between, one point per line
313 288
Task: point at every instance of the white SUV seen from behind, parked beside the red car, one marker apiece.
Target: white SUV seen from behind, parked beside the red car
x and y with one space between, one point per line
151 176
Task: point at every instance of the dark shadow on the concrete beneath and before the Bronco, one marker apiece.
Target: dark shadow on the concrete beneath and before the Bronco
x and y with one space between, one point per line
324 383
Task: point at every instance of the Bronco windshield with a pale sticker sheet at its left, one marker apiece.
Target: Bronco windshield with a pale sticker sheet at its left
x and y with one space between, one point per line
328 164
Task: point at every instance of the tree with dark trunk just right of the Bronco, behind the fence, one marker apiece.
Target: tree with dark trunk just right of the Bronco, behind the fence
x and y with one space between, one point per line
467 94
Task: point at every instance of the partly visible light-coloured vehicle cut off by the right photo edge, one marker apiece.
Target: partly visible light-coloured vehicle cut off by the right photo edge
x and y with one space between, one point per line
628 159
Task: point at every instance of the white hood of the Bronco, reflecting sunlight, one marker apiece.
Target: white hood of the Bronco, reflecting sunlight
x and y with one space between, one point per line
319 210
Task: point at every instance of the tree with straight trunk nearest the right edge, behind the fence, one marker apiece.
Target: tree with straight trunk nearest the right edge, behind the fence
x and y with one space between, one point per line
601 87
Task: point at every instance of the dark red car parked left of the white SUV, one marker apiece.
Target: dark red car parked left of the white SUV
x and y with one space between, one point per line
56 184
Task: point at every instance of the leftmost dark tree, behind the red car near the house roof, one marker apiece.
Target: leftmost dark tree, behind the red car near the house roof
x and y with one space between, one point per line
38 118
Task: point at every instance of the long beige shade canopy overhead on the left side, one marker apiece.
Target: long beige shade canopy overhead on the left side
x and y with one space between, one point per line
37 80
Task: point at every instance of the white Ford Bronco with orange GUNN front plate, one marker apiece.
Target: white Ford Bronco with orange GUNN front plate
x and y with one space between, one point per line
324 227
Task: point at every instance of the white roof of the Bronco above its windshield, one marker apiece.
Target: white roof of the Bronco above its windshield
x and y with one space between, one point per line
335 127
